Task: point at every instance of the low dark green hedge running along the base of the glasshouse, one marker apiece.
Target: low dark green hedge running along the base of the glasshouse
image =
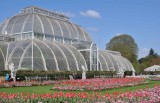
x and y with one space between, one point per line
56 75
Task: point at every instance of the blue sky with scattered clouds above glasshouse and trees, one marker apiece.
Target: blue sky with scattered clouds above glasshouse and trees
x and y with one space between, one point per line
103 19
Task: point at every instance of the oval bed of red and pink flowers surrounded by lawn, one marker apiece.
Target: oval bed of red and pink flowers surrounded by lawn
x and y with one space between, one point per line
98 83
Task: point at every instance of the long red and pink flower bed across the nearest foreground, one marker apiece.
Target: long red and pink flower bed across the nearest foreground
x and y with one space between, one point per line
147 95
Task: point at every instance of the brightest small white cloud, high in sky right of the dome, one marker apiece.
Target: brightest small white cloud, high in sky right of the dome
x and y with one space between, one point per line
91 13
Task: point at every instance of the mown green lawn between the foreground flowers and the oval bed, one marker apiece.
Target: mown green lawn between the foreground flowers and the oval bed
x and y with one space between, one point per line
46 89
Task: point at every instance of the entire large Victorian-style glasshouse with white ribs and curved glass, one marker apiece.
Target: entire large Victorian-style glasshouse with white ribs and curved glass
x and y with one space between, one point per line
39 39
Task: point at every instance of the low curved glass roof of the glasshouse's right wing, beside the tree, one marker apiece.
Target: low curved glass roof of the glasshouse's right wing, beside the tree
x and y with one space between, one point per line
109 61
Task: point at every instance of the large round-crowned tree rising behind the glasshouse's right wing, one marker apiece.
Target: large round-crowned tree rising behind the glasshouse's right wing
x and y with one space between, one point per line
124 44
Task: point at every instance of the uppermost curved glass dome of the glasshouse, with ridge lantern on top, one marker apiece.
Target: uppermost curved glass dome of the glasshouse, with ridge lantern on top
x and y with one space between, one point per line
33 19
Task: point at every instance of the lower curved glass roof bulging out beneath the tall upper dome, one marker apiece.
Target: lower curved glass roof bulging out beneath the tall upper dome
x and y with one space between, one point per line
40 55
